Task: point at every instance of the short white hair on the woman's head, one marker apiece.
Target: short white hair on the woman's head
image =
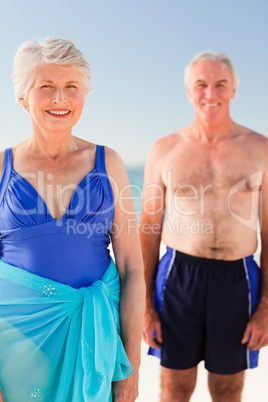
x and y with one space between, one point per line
53 50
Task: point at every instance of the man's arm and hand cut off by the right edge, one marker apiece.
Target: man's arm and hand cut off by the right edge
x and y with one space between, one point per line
256 334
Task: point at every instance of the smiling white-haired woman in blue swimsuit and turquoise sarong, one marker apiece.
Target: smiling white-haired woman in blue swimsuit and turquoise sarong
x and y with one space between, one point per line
61 201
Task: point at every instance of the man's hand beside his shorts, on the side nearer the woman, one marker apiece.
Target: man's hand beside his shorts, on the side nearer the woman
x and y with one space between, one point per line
152 332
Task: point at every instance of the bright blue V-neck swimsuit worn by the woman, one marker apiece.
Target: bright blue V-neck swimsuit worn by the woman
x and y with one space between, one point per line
72 250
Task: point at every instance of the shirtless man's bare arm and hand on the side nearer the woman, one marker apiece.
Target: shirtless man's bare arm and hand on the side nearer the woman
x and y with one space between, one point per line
153 208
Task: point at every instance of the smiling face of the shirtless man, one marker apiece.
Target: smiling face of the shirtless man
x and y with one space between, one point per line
211 90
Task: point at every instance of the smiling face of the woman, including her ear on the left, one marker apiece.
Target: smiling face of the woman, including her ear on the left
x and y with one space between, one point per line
55 99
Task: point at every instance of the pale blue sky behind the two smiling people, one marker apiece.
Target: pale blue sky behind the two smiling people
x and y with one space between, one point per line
137 51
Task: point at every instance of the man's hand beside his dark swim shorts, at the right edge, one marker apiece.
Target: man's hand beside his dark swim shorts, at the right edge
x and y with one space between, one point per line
256 333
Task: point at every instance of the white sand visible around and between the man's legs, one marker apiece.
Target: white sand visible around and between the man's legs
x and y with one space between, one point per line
255 390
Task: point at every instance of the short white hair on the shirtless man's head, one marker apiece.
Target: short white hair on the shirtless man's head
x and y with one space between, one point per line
208 55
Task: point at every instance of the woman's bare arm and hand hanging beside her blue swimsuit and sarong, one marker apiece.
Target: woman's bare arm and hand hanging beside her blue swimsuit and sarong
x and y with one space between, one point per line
128 258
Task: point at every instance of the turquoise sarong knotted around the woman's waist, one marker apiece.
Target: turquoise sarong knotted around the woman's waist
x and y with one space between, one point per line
58 343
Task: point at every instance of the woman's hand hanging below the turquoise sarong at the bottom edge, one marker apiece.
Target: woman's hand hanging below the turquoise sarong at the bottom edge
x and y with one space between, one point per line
126 390
